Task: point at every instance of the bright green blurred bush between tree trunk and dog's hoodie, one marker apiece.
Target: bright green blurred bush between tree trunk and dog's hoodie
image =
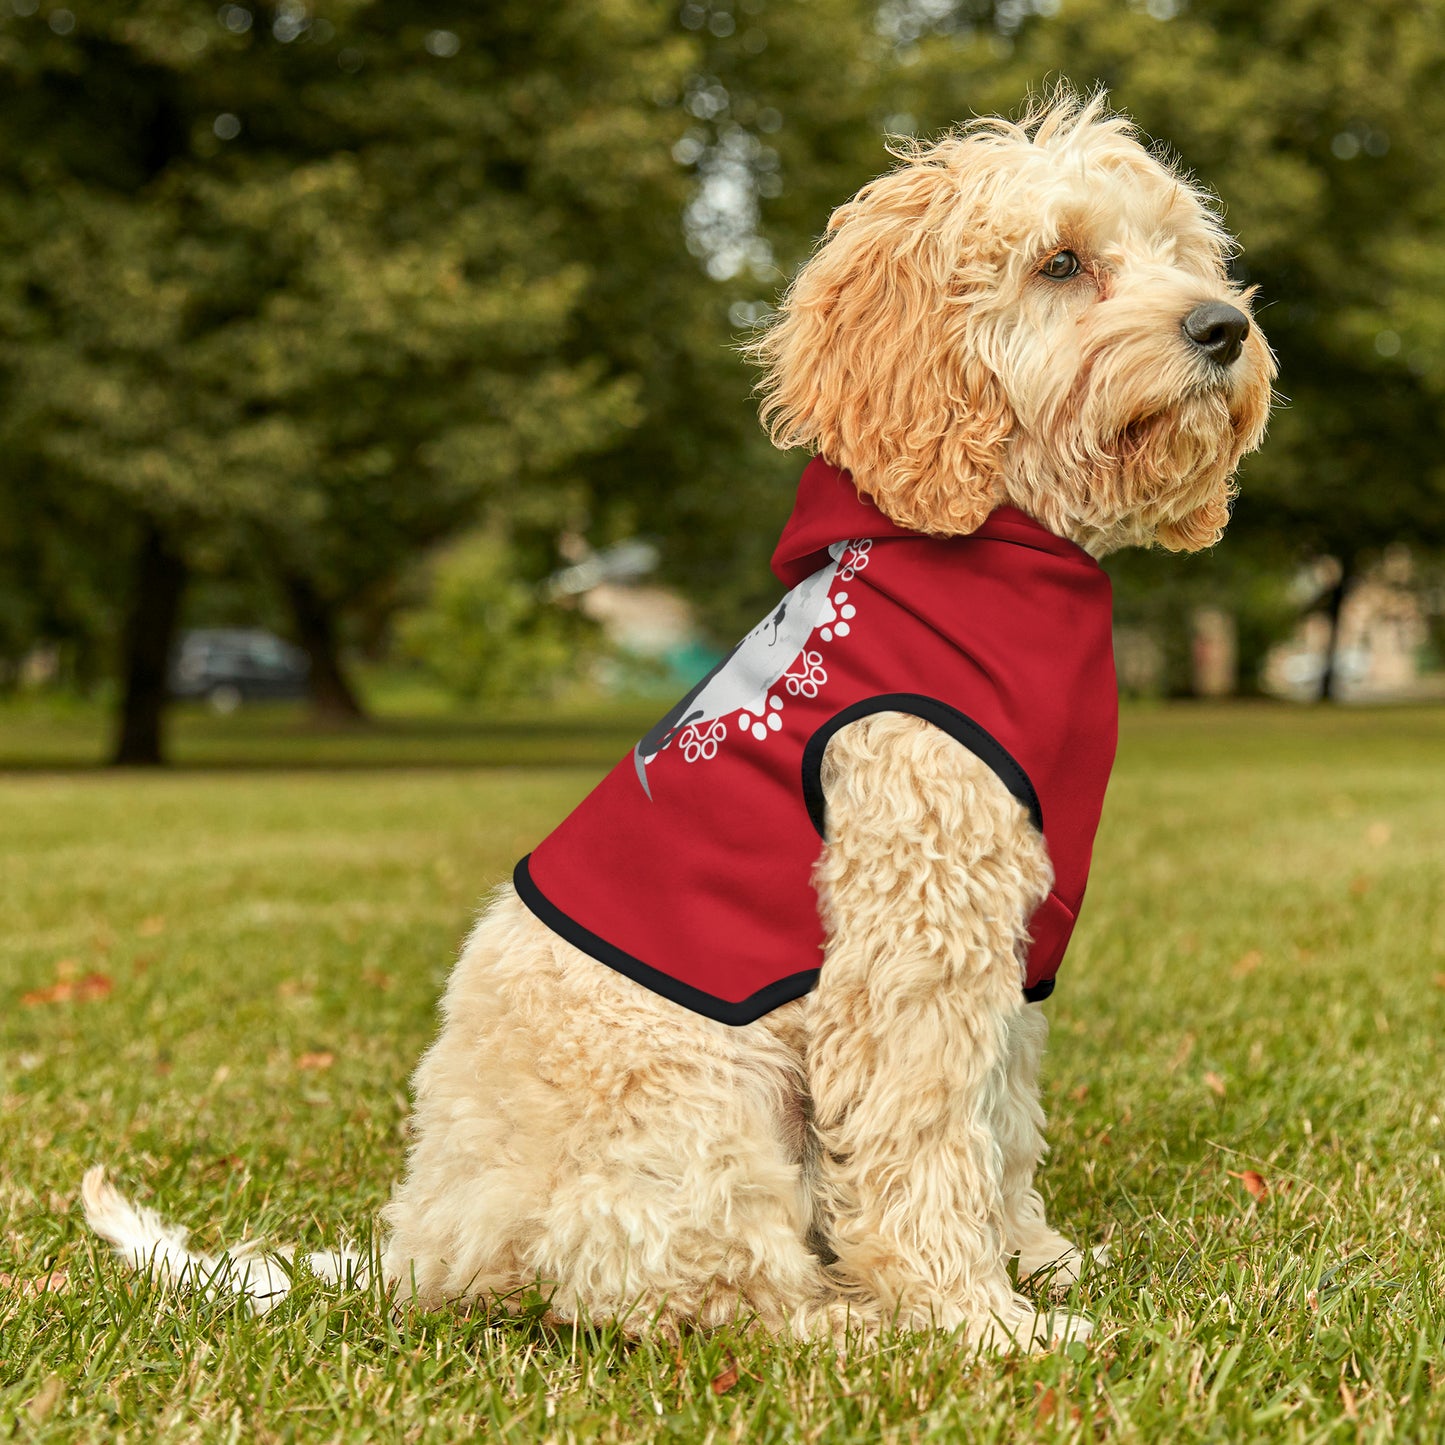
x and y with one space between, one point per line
485 634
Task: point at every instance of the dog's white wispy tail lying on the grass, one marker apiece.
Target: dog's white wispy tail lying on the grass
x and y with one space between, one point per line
147 1243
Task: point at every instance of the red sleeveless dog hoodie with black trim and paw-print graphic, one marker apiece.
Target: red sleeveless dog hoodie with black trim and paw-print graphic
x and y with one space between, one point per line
690 866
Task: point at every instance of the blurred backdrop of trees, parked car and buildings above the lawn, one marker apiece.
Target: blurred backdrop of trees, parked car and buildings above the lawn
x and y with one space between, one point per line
363 362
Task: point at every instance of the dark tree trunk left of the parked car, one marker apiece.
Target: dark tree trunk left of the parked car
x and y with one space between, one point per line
151 628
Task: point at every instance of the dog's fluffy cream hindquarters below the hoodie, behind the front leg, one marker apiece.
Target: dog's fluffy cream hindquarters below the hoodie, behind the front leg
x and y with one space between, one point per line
580 1136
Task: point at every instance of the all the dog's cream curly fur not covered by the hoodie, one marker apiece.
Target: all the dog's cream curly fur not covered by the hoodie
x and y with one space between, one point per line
866 1155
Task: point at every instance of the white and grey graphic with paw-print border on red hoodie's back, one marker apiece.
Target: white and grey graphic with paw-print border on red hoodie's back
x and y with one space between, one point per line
780 651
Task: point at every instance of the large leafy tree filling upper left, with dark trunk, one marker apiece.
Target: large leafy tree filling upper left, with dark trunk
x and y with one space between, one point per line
307 282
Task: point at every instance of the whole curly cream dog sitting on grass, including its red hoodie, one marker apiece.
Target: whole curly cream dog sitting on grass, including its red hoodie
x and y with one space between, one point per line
1017 352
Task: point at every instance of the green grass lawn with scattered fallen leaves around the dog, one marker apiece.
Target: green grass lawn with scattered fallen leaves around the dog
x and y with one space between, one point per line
1256 986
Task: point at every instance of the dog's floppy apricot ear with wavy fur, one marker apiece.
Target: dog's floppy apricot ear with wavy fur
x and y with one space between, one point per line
872 361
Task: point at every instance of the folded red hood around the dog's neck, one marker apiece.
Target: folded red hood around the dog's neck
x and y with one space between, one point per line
830 509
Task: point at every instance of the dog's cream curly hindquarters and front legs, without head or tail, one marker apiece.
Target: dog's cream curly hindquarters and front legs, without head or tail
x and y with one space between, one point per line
642 1163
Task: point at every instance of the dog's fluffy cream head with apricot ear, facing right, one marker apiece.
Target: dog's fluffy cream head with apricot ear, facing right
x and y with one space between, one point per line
1035 314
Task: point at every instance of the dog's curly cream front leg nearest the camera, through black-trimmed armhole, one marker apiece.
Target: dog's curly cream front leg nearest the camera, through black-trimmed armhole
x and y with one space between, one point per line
927 884
